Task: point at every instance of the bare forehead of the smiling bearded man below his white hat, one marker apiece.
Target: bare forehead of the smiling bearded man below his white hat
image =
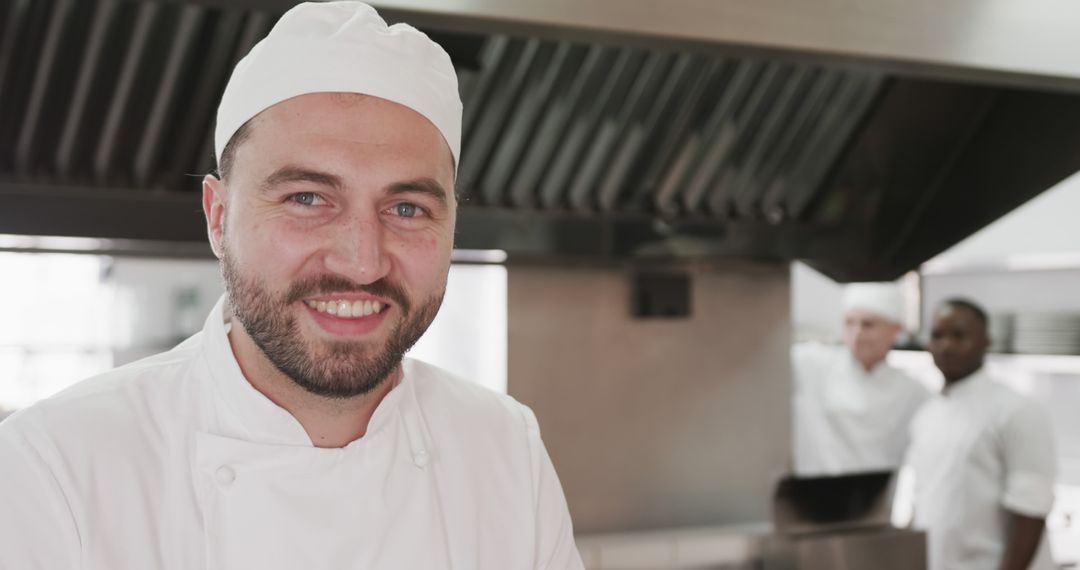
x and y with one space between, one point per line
349 130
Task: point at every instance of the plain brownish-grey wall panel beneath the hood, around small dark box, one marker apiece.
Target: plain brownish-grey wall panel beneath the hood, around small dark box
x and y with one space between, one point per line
656 424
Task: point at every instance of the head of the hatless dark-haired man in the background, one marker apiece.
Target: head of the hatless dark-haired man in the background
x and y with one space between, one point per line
958 342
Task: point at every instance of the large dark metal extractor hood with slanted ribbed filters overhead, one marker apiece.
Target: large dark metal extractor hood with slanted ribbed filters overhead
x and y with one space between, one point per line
863 142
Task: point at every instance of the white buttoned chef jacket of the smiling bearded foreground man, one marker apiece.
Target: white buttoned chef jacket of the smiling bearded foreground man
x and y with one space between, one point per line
177 463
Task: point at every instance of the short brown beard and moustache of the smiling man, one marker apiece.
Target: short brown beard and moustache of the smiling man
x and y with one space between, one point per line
339 370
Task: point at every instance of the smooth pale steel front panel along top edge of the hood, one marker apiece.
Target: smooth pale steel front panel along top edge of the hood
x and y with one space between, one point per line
987 39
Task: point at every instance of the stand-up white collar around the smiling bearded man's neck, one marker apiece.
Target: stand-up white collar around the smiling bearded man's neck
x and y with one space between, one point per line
259 418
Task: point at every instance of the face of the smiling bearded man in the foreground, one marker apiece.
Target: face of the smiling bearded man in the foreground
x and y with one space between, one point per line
335 229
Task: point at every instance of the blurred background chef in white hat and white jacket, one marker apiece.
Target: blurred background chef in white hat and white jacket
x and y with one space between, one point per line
853 410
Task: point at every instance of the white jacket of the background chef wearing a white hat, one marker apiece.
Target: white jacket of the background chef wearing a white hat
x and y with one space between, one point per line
848 420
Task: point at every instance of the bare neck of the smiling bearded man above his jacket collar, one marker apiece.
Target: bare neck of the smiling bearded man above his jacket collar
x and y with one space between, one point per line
330 423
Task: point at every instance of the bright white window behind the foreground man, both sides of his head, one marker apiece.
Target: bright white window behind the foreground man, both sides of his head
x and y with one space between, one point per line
71 317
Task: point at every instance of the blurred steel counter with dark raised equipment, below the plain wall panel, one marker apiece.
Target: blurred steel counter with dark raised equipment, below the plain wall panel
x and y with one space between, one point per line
836 523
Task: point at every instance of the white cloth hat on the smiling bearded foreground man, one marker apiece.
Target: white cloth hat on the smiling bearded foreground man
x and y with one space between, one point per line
343 47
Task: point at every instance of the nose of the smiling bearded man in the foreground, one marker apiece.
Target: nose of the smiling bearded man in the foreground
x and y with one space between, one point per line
356 249
